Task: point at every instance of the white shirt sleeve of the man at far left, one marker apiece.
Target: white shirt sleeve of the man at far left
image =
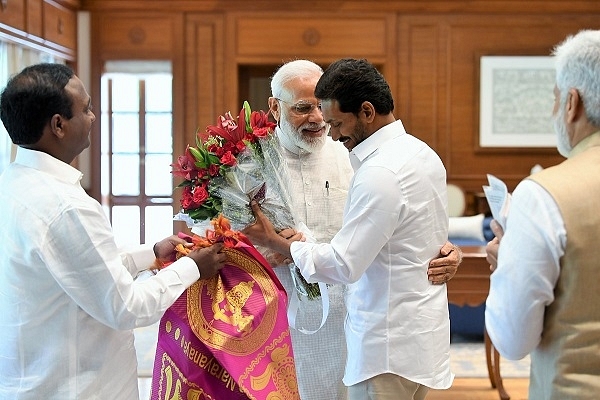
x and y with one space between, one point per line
82 256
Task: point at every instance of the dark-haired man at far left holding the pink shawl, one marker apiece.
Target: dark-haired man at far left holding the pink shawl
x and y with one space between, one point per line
68 299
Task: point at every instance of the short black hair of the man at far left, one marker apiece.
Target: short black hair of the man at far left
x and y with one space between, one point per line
32 97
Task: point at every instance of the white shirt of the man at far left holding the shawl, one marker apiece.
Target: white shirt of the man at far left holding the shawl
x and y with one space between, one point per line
68 301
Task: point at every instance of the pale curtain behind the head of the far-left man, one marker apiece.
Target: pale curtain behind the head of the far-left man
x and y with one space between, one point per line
13 58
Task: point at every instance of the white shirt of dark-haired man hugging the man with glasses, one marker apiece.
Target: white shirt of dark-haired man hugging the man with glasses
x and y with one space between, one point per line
395 222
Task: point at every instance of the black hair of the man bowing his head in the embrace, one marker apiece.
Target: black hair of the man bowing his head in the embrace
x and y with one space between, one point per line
351 82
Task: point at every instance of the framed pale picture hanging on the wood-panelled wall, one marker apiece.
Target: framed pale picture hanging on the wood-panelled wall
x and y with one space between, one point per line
516 101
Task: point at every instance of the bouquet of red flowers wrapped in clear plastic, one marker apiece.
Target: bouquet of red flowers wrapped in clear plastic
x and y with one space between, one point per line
234 162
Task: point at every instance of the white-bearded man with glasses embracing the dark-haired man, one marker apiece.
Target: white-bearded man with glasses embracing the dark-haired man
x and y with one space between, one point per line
320 174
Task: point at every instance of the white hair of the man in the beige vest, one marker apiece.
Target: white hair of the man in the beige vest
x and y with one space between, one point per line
577 62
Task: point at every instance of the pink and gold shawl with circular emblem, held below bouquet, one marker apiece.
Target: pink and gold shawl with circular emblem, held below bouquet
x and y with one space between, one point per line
227 337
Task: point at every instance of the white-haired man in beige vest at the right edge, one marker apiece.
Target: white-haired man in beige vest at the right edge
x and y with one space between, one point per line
544 288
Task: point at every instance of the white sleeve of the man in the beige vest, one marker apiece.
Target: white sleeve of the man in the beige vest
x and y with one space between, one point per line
528 268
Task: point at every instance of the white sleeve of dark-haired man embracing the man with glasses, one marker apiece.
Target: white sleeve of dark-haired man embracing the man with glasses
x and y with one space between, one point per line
372 214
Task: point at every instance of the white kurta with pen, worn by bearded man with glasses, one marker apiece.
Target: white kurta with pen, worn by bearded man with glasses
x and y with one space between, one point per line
319 186
